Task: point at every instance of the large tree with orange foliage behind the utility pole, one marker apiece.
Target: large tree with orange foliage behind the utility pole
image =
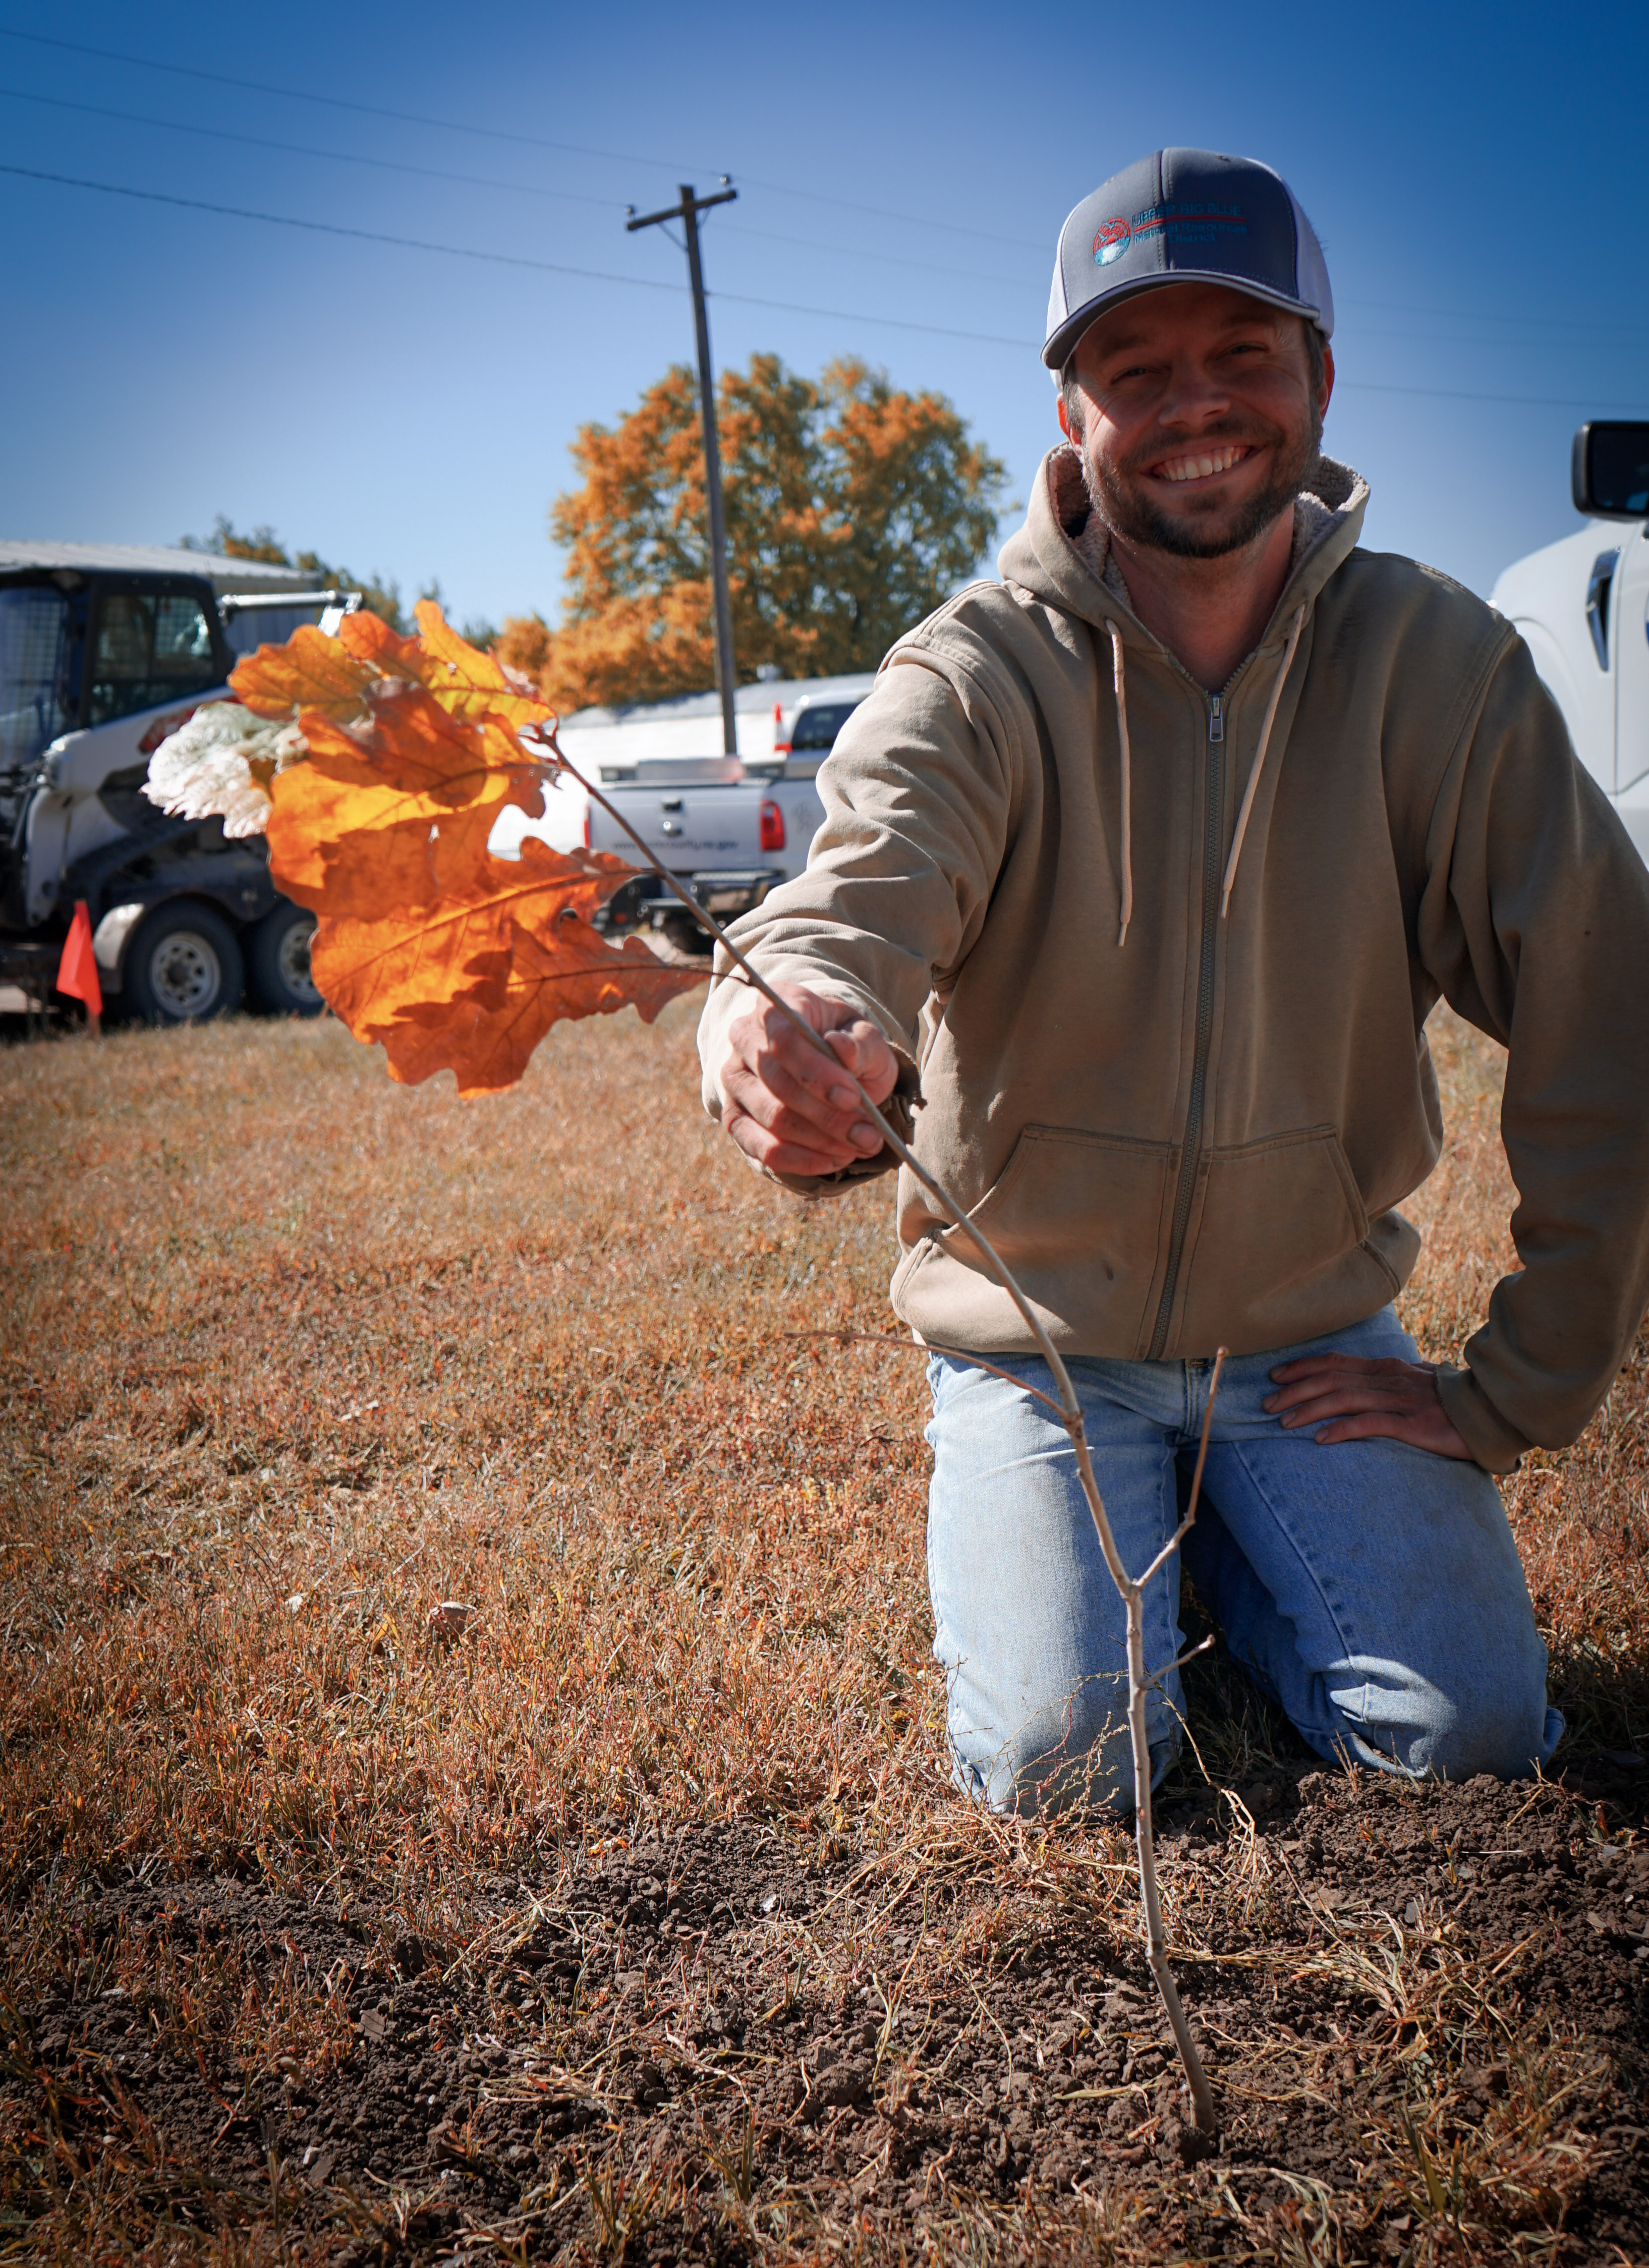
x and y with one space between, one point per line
852 511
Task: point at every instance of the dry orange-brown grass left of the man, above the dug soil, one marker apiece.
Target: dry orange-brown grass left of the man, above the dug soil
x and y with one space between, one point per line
296 1353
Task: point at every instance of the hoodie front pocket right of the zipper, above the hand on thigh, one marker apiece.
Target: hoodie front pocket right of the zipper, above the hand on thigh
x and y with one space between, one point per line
1278 1249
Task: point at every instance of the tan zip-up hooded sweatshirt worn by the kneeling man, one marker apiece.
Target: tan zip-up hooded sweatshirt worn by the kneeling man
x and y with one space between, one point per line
1158 965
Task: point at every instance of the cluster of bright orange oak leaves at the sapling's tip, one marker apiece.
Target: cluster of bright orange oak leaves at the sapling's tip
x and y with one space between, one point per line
428 945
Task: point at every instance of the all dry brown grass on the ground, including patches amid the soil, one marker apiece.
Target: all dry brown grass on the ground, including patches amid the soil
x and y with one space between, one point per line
289 1355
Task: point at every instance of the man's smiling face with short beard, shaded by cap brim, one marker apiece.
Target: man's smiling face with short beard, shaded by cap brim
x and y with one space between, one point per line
1199 418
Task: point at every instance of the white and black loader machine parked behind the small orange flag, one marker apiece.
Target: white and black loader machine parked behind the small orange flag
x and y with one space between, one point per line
105 652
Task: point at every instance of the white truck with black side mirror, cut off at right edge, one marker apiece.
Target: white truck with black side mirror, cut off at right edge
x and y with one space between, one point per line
1584 611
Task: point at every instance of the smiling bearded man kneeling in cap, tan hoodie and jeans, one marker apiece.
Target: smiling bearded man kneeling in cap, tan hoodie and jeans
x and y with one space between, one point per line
1140 877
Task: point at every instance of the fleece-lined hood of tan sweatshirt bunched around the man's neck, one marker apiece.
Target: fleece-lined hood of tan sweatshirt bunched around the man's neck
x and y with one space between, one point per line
1058 557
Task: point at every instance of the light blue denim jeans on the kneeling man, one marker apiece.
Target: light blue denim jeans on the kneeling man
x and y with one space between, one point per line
1367 1586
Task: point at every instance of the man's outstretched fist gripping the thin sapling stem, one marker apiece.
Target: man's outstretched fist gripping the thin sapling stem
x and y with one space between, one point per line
786 1103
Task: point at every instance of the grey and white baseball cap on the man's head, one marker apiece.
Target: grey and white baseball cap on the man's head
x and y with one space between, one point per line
1185 217
